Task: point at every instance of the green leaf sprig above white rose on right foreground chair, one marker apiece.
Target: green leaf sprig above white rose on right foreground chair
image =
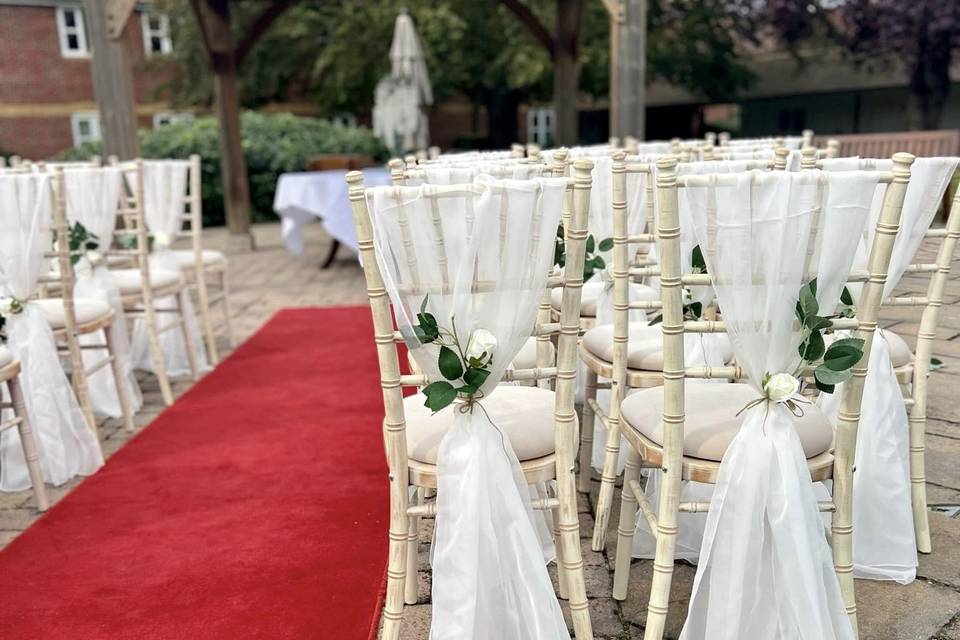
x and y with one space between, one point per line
832 365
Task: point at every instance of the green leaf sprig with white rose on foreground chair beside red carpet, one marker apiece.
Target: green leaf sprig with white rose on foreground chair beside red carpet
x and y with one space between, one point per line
465 368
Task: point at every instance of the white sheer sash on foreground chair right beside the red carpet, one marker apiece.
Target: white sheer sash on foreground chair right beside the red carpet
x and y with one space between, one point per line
483 255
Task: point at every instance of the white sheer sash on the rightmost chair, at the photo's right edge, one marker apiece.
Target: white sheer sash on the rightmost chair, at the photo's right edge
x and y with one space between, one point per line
884 544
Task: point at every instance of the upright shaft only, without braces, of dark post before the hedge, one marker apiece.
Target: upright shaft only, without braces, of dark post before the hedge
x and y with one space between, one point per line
233 166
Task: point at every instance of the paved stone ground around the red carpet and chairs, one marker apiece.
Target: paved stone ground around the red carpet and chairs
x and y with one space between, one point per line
269 279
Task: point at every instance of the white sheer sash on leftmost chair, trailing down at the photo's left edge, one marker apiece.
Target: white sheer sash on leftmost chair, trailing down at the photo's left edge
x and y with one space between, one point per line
66 444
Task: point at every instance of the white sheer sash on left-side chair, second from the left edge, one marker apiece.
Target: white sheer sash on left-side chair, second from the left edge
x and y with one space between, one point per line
92 196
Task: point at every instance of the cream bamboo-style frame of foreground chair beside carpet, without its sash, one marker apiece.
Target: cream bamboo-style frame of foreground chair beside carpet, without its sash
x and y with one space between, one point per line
400 428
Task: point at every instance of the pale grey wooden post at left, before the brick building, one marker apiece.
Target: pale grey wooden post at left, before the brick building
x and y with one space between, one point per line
112 78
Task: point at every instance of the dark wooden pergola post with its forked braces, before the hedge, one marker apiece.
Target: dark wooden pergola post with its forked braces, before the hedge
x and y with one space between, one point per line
225 55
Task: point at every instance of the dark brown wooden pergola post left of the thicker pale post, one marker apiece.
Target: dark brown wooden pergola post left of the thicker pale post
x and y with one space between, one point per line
565 74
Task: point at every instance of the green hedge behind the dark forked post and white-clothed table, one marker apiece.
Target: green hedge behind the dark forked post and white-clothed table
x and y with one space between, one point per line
272 144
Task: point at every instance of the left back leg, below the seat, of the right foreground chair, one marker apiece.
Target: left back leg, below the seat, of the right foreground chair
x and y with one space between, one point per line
658 604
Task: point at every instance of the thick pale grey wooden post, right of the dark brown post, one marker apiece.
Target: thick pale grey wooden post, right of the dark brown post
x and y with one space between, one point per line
628 67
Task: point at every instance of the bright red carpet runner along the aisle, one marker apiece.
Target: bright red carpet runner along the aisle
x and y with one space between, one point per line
255 507
